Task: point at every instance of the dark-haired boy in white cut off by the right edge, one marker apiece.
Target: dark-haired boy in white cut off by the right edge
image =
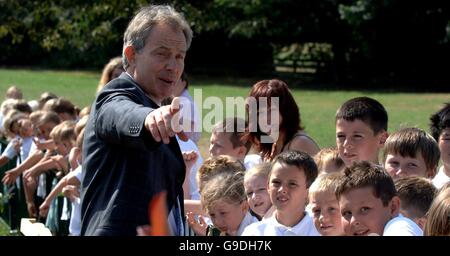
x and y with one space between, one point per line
440 129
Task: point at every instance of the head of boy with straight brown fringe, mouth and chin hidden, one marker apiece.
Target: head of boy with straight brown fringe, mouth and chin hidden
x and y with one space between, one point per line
411 152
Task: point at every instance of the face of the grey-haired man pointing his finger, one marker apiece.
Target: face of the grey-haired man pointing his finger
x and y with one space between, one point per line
159 65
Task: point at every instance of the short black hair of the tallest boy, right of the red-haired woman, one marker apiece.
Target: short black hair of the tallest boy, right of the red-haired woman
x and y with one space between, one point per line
366 109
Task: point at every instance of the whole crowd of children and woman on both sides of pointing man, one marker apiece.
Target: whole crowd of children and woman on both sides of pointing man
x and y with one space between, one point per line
287 186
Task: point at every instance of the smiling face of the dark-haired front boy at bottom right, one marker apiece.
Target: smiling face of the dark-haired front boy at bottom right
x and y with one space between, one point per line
363 213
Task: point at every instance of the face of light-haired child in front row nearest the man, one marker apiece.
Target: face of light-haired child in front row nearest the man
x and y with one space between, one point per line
227 217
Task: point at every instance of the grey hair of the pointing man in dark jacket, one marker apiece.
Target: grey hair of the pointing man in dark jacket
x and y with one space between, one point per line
143 22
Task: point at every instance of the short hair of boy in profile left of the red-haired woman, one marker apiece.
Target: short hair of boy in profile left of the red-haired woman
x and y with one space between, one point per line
235 127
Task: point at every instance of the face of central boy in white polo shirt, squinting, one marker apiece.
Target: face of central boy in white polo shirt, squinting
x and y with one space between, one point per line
287 189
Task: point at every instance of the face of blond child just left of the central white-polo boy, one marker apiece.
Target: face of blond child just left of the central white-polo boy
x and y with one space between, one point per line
257 195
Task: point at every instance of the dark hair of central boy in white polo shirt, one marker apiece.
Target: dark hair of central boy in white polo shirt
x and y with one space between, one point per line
302 161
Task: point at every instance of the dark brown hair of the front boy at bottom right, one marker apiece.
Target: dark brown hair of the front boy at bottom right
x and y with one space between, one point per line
365 174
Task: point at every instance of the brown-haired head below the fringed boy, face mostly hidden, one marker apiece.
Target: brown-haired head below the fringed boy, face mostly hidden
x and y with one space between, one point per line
416 195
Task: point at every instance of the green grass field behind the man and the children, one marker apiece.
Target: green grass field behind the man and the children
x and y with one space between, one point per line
317 107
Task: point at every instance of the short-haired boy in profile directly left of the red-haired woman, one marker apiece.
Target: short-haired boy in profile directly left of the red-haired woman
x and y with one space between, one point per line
227 138
